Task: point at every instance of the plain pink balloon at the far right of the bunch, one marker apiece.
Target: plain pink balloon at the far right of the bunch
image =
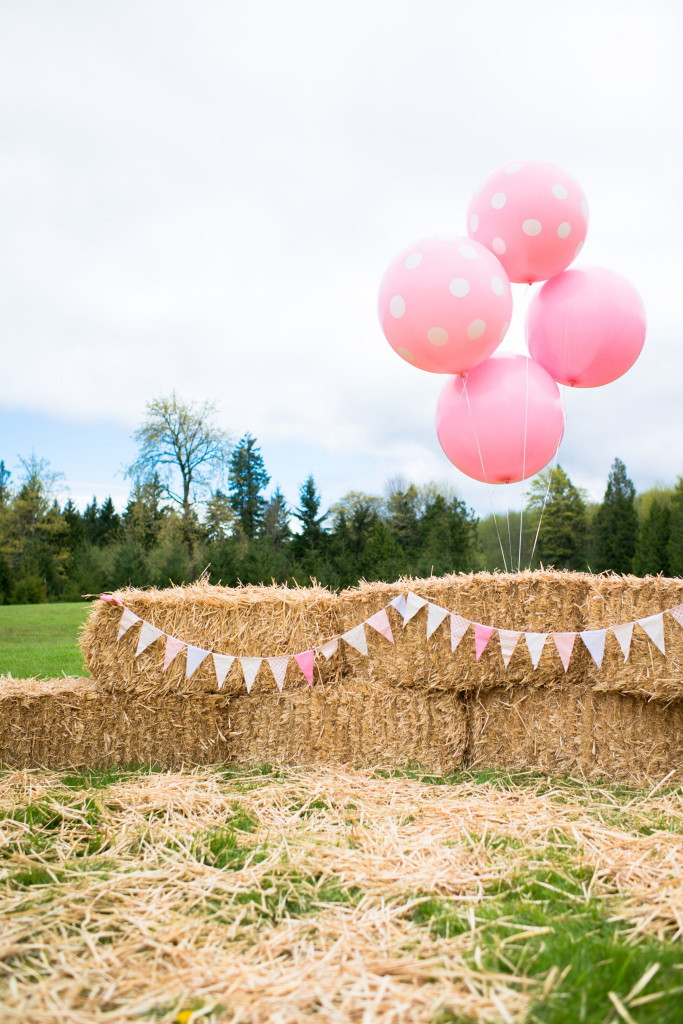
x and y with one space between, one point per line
586 327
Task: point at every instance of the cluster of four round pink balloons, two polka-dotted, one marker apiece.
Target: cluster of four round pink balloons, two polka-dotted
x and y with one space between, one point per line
446 306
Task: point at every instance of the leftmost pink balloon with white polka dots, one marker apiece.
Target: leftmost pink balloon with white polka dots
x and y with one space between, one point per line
445 305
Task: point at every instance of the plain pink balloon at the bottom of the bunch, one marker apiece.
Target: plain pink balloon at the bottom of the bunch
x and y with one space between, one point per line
514 422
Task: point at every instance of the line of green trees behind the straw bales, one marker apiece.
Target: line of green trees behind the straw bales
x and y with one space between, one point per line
200 504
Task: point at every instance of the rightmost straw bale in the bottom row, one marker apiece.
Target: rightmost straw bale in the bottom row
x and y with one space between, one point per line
576 730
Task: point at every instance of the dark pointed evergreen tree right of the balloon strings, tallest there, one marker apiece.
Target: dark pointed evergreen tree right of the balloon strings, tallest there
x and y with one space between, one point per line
616 525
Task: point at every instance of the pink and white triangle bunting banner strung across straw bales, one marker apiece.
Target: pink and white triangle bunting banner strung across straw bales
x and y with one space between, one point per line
407 607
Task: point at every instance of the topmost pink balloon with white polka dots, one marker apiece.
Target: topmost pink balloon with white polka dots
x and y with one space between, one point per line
533 216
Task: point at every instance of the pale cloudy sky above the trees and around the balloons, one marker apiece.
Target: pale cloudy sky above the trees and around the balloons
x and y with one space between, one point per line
203 198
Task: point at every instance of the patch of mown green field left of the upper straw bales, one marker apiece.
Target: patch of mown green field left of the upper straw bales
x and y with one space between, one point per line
41 641
